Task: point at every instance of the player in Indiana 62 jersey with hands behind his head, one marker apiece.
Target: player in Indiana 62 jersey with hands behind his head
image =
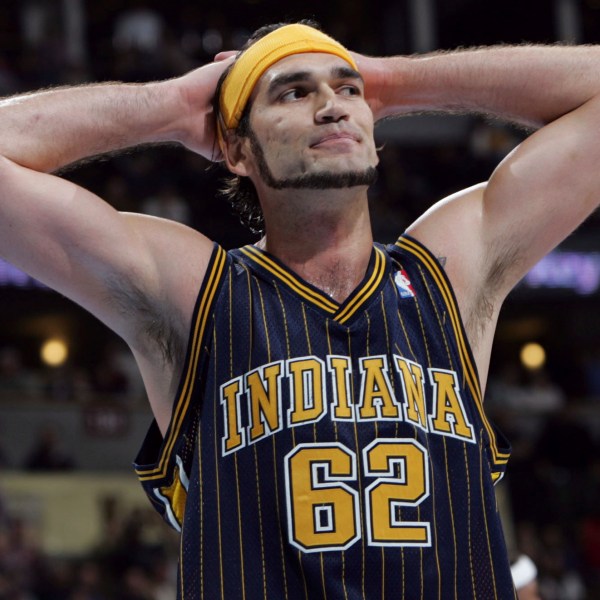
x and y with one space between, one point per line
318 399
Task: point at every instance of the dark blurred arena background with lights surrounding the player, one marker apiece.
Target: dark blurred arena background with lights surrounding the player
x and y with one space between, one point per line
73 521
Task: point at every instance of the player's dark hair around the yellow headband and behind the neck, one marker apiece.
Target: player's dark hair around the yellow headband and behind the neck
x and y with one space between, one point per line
240 191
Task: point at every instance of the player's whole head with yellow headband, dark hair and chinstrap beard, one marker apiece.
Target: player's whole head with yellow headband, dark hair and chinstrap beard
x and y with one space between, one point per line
292 115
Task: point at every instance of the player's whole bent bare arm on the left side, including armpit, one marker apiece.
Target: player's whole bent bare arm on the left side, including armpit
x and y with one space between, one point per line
128 270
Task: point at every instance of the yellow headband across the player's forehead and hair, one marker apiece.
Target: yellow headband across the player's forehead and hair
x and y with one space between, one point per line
247 70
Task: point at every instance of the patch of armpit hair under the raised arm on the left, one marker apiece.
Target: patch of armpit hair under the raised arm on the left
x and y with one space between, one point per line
156 330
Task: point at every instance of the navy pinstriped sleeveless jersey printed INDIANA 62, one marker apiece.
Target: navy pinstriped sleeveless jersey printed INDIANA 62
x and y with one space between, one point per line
330 450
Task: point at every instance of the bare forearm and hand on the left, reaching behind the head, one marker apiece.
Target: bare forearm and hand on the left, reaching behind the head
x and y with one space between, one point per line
47 130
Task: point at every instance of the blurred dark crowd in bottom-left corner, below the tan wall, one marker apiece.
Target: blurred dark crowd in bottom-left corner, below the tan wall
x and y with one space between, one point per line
135 560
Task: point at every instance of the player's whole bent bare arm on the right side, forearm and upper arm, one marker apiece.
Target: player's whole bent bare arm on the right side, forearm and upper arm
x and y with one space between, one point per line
542 190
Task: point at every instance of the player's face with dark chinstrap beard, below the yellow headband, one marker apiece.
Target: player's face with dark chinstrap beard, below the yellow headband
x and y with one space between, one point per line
311 126
